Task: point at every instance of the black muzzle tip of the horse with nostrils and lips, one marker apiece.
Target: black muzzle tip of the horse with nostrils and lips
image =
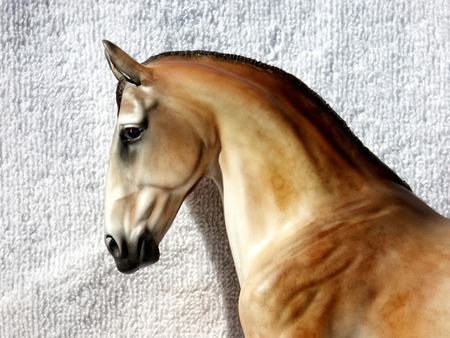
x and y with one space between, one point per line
130 257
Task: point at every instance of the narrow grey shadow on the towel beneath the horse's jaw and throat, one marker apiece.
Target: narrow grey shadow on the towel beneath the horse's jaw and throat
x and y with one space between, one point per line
205 206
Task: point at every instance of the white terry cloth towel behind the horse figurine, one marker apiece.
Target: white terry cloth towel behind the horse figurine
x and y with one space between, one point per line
384 66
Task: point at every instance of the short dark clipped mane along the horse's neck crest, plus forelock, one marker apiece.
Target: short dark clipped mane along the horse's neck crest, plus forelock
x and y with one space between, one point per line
291 79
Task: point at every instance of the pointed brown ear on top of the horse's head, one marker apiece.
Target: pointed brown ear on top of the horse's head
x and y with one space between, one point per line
122 64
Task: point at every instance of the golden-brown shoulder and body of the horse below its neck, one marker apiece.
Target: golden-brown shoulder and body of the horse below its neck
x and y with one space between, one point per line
377 278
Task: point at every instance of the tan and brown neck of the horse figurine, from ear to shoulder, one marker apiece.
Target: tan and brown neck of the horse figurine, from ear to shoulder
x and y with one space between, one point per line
284 154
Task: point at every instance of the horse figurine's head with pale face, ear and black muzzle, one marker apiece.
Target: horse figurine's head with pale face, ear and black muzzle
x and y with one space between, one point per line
158 154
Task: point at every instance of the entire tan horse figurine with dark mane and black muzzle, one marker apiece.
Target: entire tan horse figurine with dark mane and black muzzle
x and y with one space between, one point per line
326 239
